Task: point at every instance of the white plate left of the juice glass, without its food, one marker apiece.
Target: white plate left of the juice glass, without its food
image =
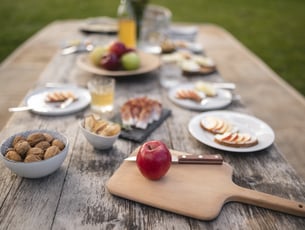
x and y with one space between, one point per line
36 101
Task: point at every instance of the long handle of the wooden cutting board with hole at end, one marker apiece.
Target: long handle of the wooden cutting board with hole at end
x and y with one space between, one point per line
268 201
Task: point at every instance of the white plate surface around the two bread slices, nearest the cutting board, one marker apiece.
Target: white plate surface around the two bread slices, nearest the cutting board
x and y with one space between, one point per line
243 122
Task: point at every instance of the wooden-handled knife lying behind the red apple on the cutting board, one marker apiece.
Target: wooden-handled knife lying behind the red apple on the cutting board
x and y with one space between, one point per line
191 159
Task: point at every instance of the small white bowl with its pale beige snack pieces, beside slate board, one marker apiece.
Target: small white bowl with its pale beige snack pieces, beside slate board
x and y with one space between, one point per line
100 133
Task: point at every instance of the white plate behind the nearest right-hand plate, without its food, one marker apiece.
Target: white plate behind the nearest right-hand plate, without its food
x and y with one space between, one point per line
221 100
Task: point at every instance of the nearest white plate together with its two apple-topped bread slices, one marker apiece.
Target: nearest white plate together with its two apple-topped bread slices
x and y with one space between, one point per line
231 131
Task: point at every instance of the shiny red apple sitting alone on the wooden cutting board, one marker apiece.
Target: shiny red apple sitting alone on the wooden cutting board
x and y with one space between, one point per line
154 159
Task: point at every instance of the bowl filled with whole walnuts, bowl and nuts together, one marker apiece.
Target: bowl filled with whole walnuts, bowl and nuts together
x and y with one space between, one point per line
34 153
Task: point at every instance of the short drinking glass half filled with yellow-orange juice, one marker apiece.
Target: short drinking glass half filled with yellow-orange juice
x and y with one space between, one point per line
102 94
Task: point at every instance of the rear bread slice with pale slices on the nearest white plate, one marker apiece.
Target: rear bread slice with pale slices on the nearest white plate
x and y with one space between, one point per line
217 125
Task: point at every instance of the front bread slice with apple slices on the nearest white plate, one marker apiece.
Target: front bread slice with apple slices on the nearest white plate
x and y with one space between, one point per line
236 139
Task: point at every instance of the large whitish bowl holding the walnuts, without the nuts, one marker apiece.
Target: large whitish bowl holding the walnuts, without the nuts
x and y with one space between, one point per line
35 169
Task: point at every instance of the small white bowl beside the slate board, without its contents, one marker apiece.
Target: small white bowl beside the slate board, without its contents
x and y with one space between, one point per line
98 141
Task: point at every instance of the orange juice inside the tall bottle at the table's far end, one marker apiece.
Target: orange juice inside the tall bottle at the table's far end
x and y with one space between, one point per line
127 32
